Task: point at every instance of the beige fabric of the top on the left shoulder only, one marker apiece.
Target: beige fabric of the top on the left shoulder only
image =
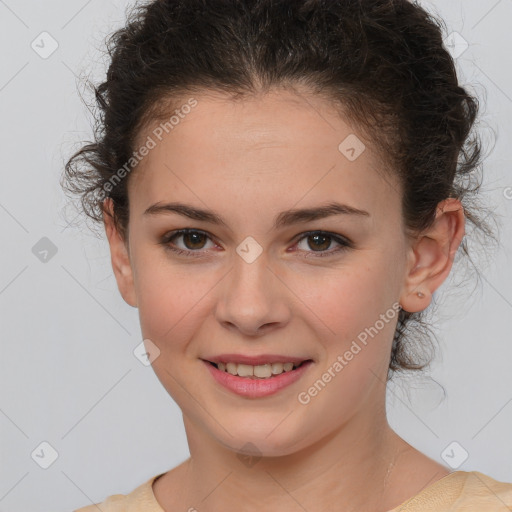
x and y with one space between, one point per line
138 500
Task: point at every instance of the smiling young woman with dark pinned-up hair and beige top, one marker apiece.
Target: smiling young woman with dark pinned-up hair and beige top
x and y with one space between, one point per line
281 185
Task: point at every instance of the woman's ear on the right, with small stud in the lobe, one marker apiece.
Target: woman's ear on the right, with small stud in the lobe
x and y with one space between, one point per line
431 256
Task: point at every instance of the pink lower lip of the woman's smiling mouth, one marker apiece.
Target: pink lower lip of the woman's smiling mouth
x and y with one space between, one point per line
257 388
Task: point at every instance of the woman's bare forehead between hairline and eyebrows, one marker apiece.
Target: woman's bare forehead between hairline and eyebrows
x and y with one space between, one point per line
280 146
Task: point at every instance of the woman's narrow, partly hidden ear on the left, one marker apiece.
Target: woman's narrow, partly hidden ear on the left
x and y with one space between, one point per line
120 256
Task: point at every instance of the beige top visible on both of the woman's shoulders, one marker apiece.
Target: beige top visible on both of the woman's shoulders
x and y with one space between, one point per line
460 491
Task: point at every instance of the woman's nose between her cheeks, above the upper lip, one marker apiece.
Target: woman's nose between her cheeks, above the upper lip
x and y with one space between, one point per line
253 299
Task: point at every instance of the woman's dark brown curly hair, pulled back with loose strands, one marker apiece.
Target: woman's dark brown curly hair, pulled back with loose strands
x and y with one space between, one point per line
381 62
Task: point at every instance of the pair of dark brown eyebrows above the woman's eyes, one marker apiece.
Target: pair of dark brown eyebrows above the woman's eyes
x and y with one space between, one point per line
285 218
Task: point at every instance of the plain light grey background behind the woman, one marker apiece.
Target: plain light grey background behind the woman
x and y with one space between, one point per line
69 376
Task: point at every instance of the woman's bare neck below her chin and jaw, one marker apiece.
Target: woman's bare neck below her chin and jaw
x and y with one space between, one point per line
349 469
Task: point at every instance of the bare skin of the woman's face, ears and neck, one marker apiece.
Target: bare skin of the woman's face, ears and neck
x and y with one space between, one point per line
249 160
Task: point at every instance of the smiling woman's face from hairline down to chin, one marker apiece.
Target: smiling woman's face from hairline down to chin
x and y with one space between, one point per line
306 288
